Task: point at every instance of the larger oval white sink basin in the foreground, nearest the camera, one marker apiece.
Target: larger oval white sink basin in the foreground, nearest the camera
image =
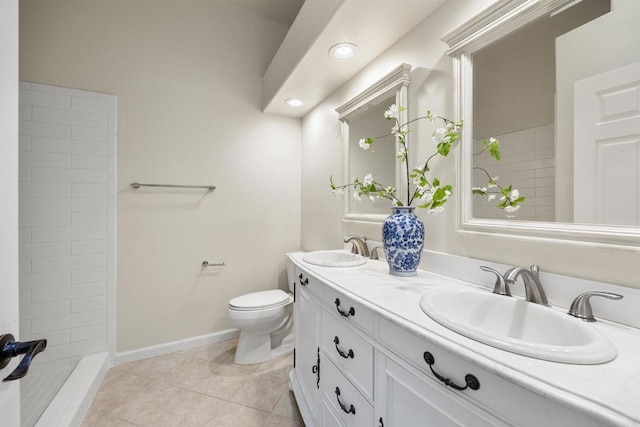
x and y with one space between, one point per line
518 326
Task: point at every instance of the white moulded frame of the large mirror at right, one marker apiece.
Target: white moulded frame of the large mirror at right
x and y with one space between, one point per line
499 20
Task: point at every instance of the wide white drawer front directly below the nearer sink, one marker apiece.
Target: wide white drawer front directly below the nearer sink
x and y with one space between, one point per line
525 408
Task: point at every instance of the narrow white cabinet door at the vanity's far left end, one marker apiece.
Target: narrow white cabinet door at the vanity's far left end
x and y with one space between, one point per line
307 365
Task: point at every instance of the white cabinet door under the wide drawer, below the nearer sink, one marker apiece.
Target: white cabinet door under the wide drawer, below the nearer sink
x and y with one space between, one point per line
405 397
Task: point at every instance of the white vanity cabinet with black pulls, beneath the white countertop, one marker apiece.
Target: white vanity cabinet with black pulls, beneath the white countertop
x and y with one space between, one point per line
358 364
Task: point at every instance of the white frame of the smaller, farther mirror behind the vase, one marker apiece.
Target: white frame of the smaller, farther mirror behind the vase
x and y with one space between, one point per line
393 84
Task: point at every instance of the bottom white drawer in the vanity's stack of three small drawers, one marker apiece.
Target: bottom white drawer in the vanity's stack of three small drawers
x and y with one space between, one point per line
350 407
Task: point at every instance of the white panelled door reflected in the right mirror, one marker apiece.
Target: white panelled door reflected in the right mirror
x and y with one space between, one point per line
607 147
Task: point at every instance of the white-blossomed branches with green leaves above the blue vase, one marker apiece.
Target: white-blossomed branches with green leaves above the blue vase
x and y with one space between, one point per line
429 193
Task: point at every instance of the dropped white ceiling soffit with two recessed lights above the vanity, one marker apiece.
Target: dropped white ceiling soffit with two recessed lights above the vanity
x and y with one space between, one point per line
302 67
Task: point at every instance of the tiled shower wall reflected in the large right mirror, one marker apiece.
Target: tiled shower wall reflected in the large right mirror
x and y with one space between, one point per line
528 162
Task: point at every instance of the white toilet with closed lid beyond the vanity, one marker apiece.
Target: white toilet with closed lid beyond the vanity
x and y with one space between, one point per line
265 321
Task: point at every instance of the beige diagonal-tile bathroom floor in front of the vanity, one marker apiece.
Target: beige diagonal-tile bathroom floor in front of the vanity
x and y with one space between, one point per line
196 387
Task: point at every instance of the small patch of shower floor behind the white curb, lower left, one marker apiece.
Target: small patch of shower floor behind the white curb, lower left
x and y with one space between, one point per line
37 390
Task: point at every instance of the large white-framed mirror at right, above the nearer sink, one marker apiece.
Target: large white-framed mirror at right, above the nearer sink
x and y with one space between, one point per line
558 83
